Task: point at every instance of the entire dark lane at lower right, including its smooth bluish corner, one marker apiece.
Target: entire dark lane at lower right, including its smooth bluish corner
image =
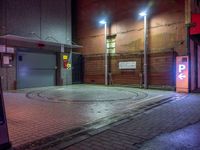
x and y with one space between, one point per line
135 132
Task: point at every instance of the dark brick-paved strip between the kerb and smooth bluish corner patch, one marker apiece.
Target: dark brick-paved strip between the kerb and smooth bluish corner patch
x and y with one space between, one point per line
132 134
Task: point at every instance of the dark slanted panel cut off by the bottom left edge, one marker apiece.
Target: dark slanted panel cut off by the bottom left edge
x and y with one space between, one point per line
4 138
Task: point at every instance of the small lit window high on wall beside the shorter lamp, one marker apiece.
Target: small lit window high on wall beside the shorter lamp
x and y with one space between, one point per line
111 40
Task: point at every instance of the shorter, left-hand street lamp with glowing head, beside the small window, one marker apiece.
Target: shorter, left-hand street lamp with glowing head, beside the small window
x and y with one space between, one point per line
106 52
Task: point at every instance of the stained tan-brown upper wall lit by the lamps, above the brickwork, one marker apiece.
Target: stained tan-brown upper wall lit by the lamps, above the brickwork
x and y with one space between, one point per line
166 24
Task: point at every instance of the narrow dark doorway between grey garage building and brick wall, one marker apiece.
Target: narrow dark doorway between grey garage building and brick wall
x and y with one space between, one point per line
77 68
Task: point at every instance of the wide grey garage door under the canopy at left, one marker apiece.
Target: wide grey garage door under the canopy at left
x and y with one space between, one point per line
35 69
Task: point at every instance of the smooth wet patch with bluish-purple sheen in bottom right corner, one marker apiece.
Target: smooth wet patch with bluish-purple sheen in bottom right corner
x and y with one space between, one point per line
187 138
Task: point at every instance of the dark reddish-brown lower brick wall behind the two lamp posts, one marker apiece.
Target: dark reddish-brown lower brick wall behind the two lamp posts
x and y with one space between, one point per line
160 69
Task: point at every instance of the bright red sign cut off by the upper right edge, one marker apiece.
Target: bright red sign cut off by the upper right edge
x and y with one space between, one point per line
195 29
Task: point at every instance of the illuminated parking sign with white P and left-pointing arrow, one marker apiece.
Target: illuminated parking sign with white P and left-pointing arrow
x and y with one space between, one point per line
182 74
